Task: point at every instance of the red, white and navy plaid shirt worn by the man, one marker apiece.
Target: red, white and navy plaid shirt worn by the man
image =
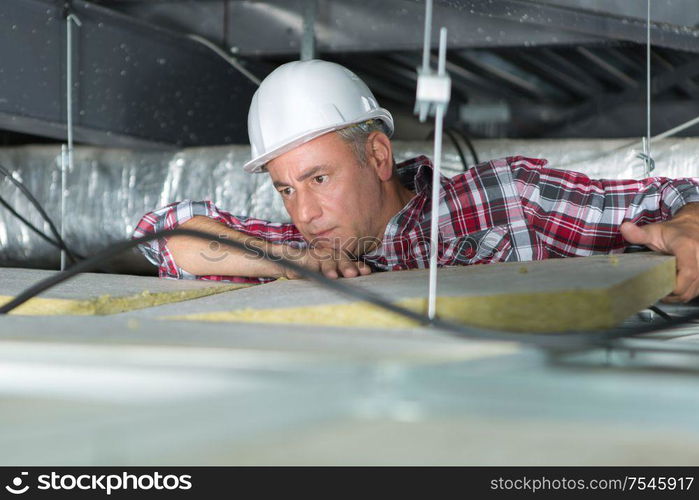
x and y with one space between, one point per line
510 209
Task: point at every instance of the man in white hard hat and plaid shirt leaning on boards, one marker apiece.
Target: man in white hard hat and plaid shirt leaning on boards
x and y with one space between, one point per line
319 132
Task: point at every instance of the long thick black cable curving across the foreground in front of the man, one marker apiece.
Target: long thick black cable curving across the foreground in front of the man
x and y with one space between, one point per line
555 341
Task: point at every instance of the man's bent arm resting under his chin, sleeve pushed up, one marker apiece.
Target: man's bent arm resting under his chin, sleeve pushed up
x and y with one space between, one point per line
190 257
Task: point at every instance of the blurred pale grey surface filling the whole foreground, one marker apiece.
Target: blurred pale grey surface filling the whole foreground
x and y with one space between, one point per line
128 389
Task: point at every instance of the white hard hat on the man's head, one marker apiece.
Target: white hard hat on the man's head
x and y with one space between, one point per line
302 100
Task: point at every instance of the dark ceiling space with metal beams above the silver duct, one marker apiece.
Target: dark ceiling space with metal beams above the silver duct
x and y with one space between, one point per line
519 68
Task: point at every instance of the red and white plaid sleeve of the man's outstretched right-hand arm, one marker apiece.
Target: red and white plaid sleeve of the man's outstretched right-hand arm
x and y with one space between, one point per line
574 215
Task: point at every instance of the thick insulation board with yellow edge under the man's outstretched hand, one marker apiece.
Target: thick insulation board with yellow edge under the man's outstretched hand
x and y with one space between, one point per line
541 296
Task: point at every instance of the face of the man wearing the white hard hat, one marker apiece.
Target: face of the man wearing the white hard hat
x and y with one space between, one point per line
332 199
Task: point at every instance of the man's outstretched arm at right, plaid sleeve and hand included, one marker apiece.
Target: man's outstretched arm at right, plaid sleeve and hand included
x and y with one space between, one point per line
575 215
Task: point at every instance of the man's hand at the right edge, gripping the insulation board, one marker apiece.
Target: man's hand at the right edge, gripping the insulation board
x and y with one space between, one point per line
679 237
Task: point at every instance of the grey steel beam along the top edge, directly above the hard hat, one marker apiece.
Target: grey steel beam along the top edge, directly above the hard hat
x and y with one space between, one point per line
275 27
